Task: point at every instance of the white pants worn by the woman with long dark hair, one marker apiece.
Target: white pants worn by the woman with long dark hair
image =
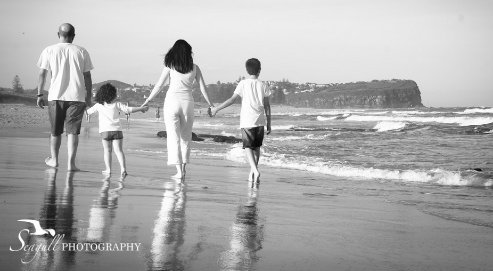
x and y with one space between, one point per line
178 117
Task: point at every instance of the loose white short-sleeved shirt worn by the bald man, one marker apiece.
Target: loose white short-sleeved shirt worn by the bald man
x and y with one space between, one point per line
68 63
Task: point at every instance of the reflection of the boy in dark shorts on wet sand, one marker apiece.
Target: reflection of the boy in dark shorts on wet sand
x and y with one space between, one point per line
247 234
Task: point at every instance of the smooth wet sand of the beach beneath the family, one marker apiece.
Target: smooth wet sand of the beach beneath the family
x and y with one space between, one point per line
214 220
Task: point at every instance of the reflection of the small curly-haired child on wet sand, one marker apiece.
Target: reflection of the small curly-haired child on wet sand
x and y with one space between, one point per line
103 212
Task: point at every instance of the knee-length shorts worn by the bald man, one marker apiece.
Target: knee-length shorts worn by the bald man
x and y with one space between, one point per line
66 114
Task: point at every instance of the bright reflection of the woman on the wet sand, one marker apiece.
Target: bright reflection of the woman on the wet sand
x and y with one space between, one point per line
169 229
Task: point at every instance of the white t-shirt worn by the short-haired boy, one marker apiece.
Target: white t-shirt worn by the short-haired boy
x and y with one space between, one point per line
252 93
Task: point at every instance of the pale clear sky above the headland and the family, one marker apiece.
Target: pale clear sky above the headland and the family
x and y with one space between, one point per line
445 46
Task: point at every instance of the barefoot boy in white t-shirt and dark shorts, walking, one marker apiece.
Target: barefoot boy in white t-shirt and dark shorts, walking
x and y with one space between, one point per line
255 114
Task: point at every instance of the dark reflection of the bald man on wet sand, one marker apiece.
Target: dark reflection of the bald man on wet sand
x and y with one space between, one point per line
58 216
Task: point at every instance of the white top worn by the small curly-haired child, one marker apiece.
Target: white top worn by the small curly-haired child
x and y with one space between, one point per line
109 119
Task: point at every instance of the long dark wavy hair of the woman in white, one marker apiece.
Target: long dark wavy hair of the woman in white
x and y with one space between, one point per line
179 57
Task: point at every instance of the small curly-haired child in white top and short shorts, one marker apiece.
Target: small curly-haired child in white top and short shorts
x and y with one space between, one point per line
109 124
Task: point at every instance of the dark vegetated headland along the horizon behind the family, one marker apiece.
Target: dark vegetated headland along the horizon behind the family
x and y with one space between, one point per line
375 94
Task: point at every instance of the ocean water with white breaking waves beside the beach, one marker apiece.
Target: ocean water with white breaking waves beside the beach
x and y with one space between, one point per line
437 159
